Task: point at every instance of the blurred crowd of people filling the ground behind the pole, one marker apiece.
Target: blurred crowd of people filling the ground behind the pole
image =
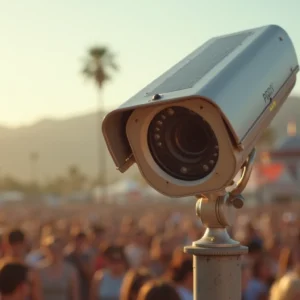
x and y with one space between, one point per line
135 251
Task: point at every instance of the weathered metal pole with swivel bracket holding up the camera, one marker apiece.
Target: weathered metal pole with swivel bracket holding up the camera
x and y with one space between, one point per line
217 257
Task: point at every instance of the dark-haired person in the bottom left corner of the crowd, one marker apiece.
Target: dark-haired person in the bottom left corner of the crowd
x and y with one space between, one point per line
14 281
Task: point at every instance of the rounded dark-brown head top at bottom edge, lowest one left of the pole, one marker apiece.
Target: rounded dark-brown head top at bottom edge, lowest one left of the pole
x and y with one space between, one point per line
158 290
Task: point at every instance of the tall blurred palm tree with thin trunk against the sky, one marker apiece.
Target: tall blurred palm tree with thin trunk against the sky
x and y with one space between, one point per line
98 66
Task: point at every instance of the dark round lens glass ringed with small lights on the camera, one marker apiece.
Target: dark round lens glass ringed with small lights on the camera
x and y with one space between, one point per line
183 144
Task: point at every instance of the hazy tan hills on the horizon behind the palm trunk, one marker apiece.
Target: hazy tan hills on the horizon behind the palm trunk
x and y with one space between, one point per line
61 143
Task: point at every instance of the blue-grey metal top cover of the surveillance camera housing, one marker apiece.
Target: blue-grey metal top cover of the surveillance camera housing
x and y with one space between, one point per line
228 68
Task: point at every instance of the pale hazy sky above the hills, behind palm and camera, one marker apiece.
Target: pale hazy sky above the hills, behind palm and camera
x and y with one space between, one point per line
42 43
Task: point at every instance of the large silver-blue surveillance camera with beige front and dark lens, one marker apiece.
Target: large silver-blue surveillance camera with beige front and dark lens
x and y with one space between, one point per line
191 130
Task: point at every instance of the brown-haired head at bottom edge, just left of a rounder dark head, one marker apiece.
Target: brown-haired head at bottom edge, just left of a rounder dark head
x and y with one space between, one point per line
133 281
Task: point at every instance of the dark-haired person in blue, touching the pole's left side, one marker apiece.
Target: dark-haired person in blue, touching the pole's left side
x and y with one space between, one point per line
182 276
